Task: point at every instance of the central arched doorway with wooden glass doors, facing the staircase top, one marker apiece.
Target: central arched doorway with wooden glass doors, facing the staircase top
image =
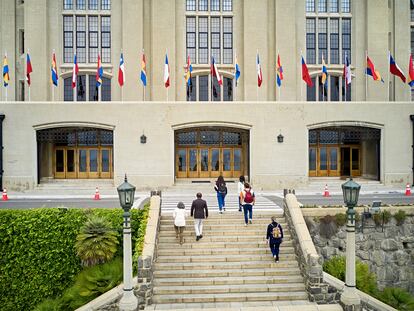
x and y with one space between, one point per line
207 152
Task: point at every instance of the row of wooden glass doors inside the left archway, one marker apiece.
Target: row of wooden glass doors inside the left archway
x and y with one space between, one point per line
82 162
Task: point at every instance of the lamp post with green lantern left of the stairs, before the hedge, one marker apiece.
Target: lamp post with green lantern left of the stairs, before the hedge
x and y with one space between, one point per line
126 193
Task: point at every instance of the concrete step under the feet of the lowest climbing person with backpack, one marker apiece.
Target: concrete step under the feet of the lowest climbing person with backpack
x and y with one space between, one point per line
283 263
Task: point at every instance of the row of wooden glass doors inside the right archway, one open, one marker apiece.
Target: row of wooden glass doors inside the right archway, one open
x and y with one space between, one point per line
334 161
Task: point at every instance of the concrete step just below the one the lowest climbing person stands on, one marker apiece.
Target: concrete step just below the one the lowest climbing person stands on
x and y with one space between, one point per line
245 272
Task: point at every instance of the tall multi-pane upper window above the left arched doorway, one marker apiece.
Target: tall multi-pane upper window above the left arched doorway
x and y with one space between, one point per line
87 34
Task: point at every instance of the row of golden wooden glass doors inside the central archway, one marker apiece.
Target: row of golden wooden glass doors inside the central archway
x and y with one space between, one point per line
209 162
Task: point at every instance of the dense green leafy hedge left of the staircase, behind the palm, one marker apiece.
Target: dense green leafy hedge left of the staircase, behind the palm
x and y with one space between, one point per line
37 254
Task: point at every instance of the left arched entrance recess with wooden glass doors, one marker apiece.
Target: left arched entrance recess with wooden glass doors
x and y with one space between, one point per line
75 153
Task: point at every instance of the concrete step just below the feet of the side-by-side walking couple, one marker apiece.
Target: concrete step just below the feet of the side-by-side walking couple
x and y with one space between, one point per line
192 243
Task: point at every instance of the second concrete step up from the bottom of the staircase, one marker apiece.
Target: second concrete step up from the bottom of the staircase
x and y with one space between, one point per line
233 288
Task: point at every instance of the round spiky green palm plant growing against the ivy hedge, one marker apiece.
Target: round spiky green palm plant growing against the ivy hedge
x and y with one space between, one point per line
97 242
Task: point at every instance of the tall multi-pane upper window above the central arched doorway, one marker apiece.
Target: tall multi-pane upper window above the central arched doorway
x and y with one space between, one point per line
209 35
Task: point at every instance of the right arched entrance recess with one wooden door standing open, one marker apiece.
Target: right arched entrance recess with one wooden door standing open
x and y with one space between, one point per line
344 151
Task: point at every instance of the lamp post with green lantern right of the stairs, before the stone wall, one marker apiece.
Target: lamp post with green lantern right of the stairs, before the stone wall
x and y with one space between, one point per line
349 297
